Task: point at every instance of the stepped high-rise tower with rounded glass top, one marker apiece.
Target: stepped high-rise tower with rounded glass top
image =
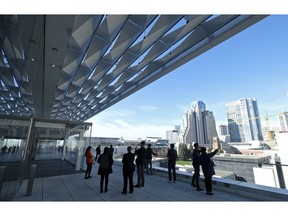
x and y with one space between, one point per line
198 125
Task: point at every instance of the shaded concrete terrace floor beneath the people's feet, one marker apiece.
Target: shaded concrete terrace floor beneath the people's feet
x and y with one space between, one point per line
74 187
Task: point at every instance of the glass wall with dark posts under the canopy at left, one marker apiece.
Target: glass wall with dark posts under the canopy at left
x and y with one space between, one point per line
53 147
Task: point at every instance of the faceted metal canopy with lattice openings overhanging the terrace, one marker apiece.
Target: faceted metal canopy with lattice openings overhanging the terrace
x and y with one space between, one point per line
72 67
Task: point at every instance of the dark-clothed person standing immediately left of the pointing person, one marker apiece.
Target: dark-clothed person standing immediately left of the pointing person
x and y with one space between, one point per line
196 166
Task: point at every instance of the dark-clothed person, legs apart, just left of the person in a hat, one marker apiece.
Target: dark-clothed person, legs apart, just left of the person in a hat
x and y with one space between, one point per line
128 170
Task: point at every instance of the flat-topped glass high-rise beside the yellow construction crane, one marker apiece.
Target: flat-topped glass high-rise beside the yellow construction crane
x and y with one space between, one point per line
244 123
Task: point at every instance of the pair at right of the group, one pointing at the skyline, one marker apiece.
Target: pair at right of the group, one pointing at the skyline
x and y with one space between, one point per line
201 158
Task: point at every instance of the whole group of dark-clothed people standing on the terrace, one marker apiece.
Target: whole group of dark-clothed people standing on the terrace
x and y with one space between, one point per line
144 159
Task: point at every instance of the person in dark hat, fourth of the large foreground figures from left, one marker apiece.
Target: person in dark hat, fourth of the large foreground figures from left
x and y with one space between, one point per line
140 163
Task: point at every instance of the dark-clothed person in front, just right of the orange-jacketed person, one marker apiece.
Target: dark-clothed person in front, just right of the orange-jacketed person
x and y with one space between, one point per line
105 168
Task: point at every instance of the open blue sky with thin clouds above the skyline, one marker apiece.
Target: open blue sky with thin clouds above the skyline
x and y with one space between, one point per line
253 63
